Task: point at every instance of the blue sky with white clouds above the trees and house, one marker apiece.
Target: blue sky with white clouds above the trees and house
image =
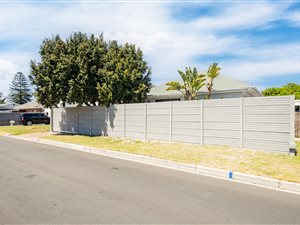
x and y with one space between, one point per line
254 41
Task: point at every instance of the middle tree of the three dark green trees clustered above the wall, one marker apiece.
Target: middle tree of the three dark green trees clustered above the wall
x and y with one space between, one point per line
86 57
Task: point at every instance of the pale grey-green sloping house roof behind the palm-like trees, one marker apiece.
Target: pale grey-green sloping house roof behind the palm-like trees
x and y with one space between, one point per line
221 83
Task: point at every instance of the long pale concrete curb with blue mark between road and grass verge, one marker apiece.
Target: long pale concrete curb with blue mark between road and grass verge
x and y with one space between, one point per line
191 168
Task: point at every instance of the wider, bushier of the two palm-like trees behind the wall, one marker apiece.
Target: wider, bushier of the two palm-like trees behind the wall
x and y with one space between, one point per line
192 82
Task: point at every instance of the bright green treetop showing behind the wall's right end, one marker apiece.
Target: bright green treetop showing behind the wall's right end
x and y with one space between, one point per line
288 89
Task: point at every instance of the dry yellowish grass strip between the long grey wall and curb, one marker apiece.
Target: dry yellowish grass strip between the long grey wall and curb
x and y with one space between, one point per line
278 166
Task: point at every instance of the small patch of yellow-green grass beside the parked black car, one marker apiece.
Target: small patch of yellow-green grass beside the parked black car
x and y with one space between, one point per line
19 130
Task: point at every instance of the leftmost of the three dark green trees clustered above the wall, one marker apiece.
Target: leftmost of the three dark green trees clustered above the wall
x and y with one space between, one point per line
50 75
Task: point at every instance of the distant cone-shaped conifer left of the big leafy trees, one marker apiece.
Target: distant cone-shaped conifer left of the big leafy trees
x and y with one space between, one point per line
19 90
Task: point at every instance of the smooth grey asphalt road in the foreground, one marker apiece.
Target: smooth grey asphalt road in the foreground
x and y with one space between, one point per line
45 184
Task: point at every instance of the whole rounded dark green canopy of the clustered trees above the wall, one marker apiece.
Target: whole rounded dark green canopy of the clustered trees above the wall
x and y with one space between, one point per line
89 70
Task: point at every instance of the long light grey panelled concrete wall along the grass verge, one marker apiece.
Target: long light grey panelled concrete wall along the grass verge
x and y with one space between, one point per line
262 123
